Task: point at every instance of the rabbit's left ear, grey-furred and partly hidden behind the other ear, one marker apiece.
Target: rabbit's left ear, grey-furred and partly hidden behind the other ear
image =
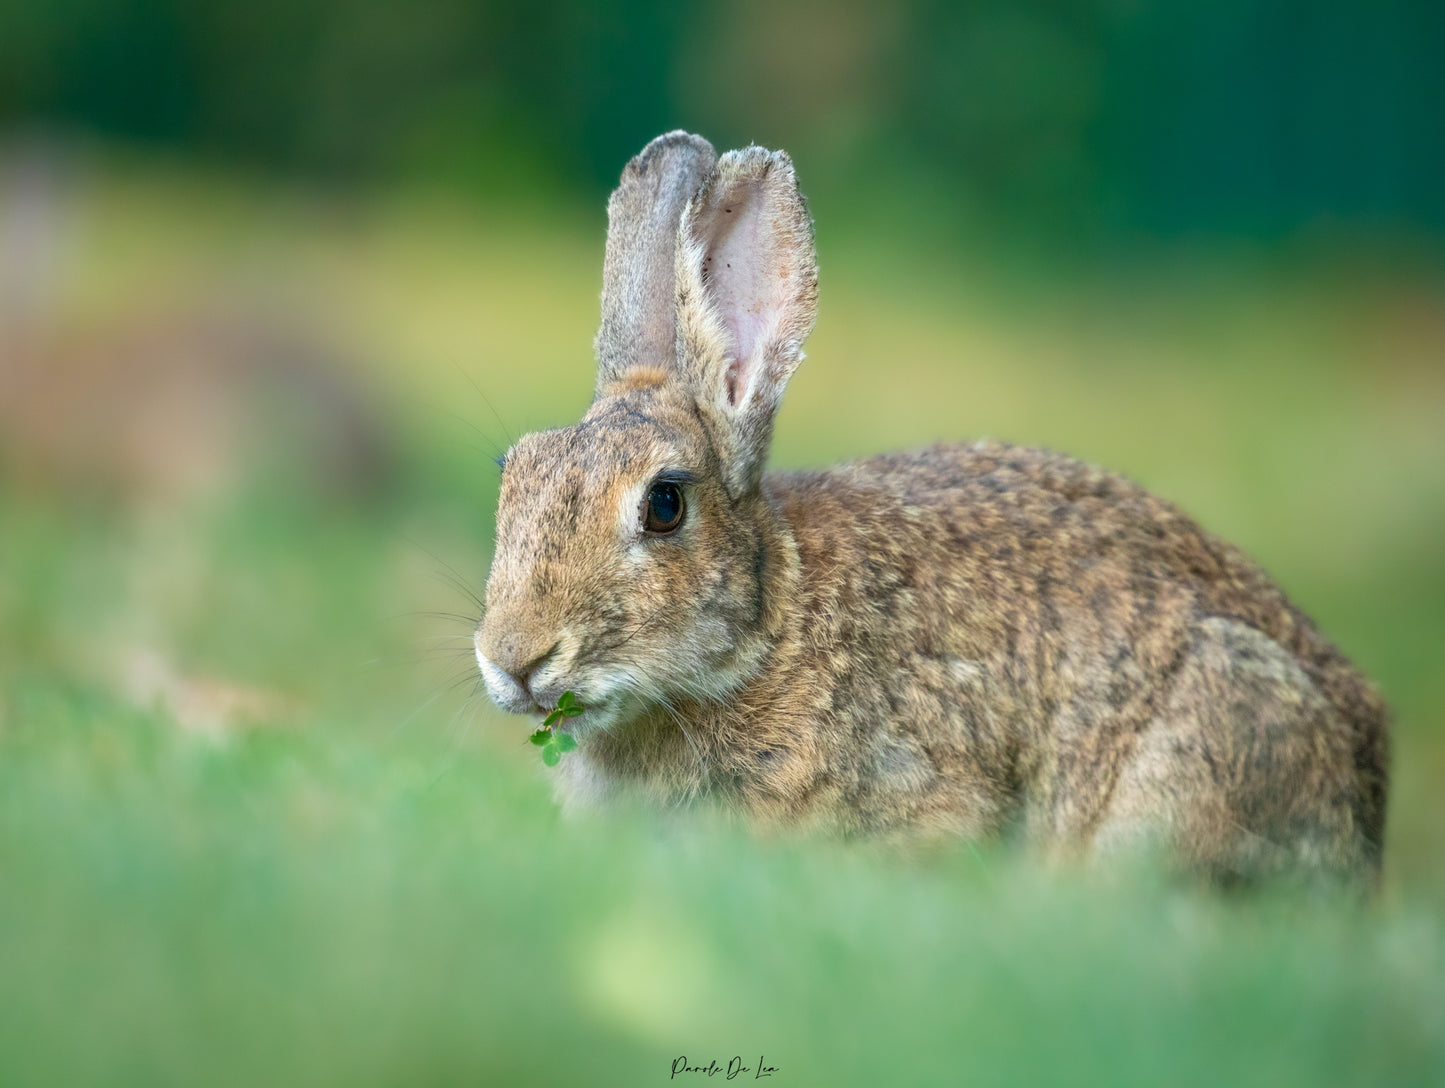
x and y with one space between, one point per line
639 272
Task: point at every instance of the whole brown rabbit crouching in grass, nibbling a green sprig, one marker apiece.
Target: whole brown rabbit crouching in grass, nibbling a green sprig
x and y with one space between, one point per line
967 641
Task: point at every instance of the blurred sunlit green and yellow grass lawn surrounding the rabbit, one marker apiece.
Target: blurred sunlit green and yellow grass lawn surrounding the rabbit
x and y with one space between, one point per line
248 834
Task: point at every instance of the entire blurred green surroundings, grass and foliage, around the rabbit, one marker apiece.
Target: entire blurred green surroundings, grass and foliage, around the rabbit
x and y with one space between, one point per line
280 280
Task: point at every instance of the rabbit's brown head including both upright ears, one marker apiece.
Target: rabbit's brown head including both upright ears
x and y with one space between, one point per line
635 560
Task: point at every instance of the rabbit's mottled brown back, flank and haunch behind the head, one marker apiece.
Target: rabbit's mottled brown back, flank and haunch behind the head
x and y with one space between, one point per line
1056 647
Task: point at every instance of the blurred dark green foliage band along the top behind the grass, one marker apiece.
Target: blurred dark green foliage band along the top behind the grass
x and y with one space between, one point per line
1070 121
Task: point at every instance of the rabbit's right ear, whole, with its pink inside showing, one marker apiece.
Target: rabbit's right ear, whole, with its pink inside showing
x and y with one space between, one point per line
748 297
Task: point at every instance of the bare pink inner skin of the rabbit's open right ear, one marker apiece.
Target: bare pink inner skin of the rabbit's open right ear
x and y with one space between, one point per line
743 281
